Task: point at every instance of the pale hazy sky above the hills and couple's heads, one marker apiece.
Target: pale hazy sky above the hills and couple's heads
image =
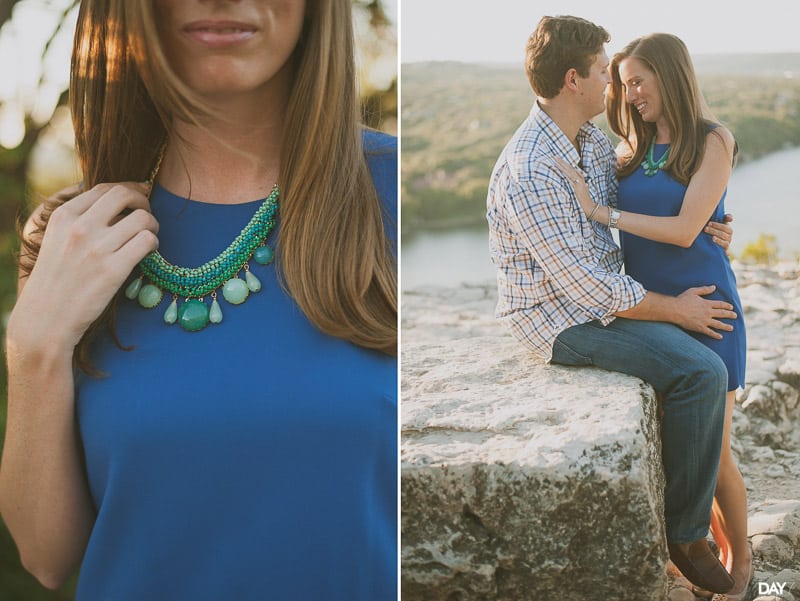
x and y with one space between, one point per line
473 31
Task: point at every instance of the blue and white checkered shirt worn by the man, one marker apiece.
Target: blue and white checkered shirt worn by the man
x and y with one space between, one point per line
555 268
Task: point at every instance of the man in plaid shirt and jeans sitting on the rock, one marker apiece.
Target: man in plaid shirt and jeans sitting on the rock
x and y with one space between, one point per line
561 292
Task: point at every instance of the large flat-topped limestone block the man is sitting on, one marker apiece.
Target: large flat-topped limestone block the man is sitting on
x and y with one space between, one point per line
525 481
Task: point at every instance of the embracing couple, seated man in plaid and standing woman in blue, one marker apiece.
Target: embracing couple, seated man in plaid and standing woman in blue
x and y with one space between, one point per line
674 318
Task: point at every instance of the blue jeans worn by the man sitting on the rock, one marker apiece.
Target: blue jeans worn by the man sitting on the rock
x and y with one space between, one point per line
692 381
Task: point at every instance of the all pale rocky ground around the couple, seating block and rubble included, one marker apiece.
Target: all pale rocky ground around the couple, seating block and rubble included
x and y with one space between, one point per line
504 459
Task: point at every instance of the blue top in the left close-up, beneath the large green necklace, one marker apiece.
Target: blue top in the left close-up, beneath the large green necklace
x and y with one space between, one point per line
253 460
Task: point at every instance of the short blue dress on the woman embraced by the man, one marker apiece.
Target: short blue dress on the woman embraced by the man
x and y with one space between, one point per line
670 269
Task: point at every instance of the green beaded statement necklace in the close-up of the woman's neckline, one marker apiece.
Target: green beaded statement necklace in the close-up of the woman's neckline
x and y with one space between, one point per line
193 284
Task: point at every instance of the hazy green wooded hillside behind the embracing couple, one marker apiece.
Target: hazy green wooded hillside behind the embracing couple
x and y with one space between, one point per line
456 117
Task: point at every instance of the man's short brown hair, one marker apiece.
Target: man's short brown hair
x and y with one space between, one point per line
557 45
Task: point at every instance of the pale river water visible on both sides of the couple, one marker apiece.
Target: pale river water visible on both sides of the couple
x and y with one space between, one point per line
763 196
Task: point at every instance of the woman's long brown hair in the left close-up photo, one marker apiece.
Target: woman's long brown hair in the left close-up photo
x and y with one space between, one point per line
334 256
